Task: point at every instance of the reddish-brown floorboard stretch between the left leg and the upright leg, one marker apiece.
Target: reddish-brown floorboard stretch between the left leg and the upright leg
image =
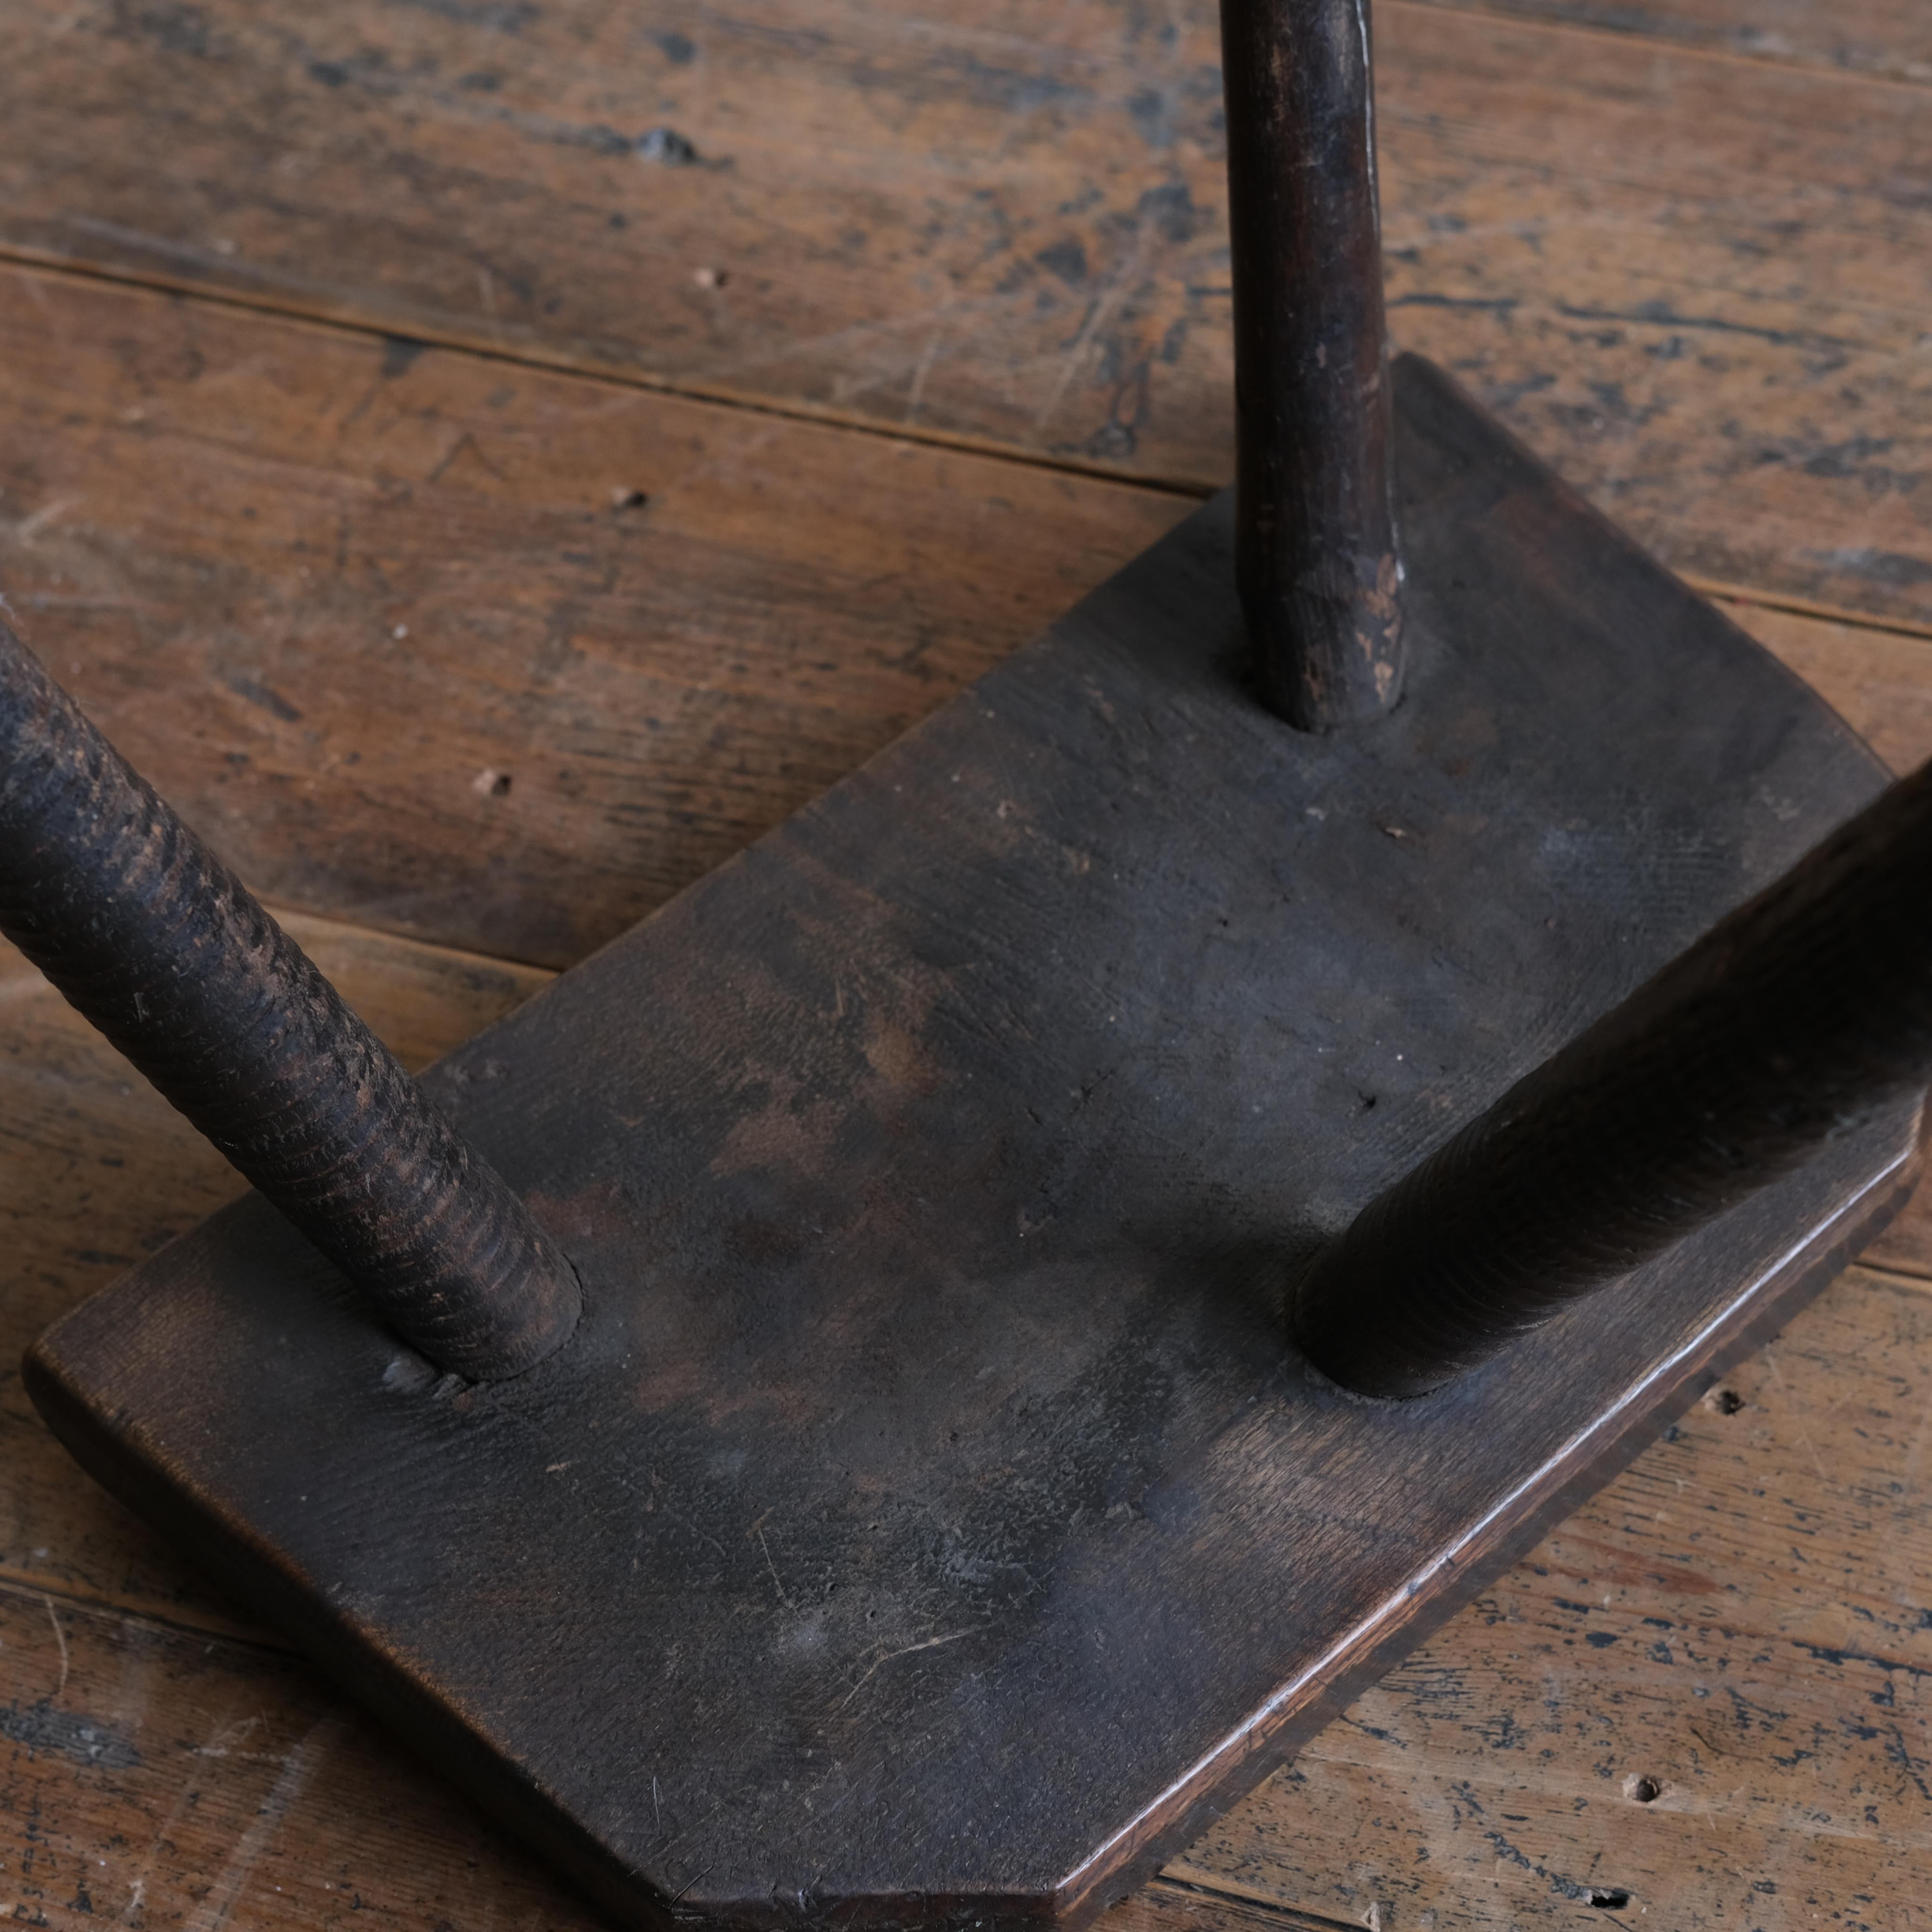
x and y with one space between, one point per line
395 635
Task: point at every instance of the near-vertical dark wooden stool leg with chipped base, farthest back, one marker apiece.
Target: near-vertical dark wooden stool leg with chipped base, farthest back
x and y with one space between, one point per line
1317 542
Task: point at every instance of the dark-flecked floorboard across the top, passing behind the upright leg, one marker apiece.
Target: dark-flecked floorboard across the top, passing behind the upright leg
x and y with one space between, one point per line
1703 300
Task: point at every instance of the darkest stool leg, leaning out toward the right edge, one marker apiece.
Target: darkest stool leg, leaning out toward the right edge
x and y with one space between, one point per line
1786 1027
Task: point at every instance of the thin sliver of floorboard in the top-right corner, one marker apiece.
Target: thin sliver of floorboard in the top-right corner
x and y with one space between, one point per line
1885 38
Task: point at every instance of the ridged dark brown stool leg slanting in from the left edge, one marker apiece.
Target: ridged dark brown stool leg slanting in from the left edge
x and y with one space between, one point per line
161 948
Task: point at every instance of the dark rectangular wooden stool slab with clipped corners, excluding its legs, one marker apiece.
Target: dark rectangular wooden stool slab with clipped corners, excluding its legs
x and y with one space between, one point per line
930 1523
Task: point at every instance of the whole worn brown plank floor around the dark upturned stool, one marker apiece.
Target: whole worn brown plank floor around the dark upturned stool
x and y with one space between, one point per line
337 351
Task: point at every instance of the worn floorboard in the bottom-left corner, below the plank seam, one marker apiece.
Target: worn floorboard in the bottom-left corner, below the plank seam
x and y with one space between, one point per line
163 1778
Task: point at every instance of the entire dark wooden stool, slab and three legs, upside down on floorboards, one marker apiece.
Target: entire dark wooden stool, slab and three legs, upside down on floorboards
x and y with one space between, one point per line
907 1382
